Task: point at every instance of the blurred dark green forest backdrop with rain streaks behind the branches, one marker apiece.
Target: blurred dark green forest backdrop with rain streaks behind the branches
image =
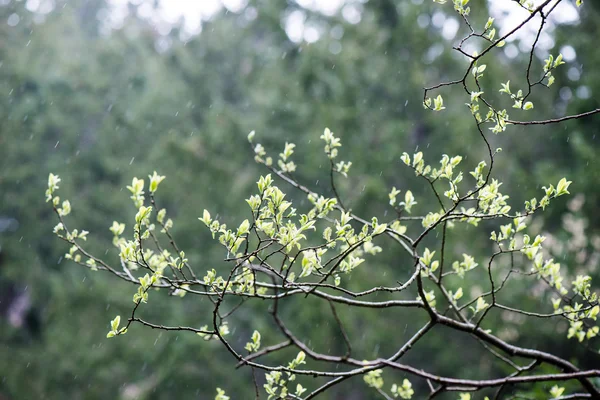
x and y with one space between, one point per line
99 91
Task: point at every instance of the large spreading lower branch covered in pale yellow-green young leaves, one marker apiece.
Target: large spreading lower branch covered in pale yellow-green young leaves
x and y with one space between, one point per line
281 252
